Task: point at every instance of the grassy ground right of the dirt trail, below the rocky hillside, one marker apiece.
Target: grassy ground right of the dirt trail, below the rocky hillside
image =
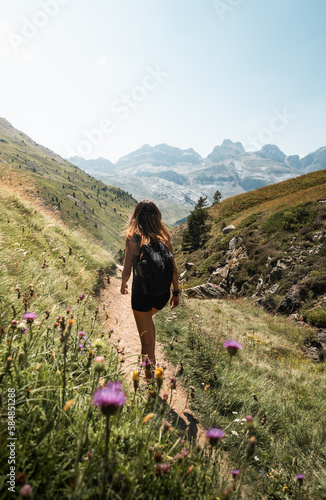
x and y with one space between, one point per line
268 379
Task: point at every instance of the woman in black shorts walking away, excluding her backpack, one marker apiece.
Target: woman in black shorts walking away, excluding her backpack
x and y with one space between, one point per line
146 227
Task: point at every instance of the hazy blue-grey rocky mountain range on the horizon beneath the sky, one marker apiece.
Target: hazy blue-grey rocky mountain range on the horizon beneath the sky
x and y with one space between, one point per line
176 178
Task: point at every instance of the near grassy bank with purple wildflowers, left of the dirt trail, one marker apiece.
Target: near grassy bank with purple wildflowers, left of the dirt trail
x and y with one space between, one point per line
49 370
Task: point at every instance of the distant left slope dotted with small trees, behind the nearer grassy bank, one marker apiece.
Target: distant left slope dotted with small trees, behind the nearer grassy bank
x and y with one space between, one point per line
79 199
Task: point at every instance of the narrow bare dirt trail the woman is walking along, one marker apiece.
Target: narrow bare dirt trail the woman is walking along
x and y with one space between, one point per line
121 320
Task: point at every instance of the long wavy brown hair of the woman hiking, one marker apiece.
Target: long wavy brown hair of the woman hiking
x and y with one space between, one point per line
146 222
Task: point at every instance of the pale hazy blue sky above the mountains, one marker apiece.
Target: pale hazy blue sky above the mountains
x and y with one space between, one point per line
103 77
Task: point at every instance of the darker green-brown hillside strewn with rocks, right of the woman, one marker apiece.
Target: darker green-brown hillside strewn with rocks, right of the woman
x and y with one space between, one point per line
277 249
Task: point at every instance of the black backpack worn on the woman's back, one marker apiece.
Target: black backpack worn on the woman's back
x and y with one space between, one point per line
155 269
